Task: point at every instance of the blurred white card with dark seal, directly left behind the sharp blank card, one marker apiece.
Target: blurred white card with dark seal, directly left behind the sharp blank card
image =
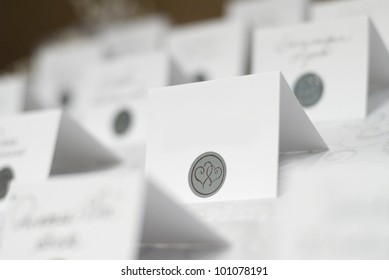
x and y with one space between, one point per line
112 99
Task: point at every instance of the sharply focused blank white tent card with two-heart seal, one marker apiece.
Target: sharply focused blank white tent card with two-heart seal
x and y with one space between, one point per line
220 140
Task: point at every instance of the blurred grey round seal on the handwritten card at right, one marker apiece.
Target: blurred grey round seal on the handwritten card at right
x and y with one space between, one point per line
309 89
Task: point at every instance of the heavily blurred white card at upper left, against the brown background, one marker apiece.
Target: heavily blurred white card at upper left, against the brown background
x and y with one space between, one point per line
57 71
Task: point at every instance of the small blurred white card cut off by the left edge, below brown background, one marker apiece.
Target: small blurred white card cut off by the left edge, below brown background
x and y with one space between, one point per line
12 94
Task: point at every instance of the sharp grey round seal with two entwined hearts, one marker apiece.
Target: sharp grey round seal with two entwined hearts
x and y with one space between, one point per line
207 174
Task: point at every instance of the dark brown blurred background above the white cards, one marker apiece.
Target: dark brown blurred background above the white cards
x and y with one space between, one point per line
25 23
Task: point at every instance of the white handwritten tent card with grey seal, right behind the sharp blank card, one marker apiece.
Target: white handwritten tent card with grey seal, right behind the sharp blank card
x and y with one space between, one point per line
331 65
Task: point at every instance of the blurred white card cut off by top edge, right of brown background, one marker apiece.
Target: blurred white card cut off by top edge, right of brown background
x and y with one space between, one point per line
264 13
